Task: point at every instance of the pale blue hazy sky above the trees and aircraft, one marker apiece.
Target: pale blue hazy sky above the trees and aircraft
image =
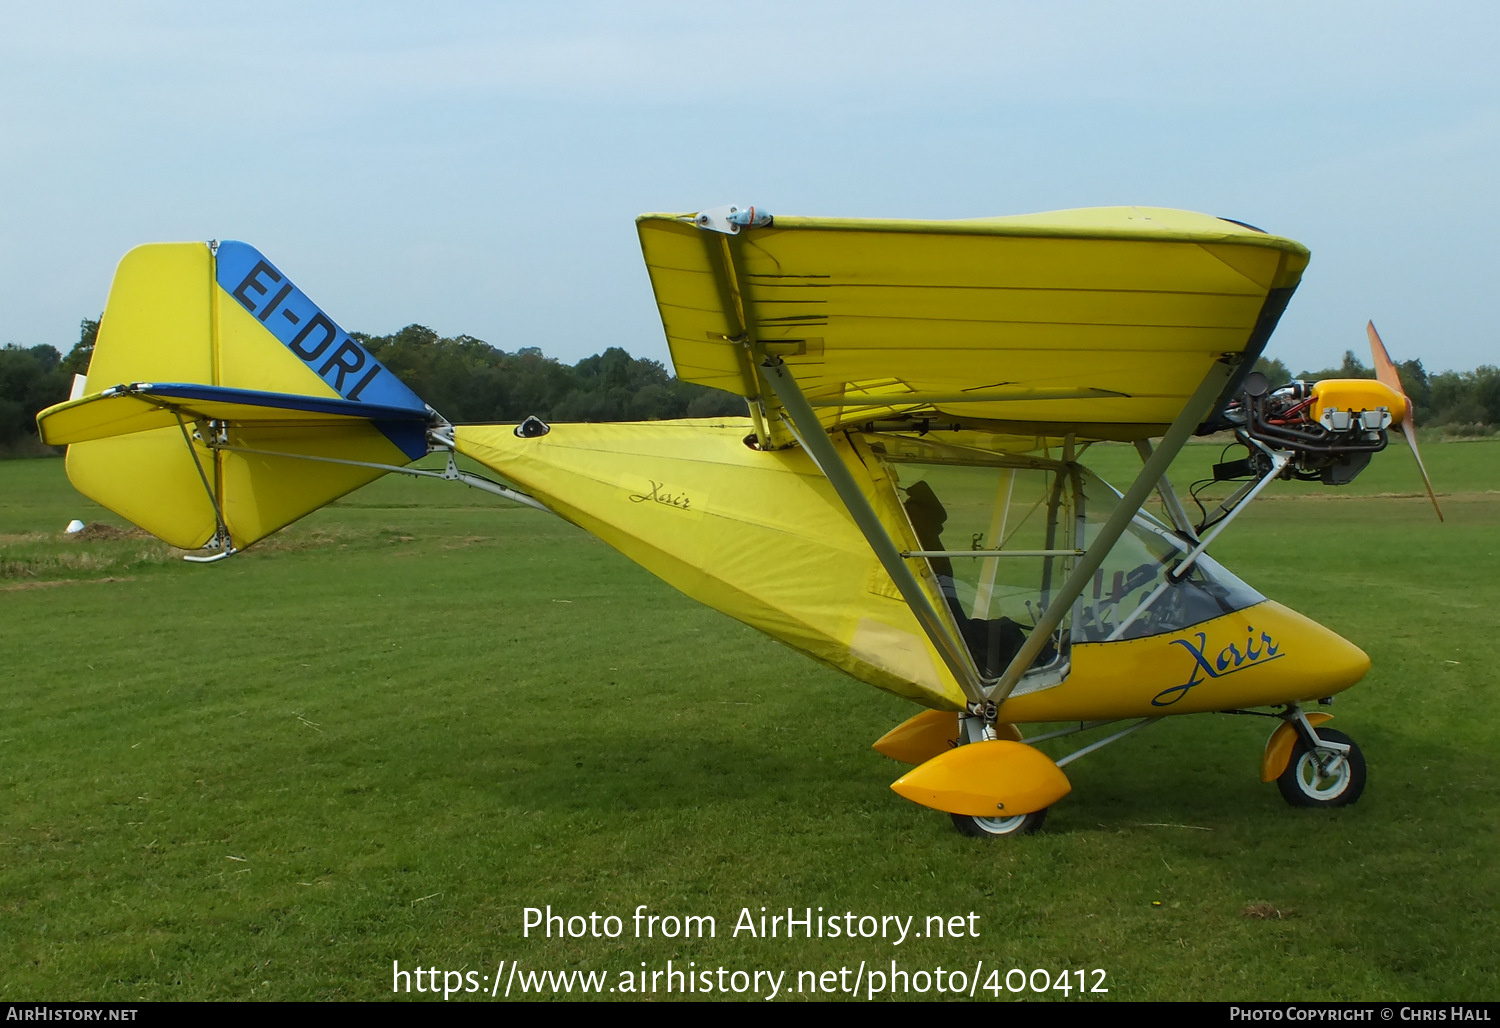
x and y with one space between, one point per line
476 167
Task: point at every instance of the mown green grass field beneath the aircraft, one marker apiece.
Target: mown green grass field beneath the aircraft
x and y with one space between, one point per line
382 735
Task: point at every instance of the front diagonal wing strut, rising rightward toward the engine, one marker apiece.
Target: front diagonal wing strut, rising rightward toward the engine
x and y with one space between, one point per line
1151 476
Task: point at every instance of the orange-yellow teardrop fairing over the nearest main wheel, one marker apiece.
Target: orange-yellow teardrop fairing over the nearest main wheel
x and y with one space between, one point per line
994 780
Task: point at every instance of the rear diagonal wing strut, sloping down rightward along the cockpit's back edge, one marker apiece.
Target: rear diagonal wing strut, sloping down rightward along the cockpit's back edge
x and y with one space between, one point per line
815 440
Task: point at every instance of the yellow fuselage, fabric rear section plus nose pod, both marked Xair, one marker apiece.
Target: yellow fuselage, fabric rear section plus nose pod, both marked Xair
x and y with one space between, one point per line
763 538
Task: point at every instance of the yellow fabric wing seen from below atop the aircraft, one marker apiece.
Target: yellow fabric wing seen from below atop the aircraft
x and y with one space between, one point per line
1096 322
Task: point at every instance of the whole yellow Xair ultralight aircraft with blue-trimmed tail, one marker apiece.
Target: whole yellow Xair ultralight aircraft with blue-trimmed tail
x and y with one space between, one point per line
907 500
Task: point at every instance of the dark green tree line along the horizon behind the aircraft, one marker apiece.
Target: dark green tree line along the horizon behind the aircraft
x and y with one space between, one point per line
469 380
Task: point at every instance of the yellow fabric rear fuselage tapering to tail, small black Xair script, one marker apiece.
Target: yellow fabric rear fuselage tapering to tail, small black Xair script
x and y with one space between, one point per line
757 535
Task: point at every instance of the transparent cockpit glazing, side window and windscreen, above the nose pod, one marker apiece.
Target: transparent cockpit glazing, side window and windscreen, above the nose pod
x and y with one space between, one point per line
1000 534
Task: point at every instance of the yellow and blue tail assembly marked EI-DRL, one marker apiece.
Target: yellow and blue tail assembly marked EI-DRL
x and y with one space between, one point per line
214 379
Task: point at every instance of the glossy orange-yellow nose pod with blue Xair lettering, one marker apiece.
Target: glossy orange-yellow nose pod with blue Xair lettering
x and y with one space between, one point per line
1264 655
